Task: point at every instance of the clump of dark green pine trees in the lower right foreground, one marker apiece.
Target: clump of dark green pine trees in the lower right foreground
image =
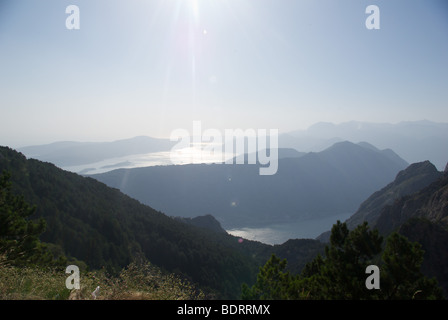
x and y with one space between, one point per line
341 273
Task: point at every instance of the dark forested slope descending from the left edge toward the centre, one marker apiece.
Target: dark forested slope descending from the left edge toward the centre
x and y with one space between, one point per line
104 228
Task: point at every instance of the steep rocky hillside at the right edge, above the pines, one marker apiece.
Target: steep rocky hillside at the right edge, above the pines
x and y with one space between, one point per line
415 205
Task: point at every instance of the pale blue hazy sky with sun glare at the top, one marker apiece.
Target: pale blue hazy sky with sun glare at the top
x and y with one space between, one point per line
148 67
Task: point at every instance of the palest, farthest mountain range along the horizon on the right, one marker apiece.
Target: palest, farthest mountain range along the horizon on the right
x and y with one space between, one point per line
414 141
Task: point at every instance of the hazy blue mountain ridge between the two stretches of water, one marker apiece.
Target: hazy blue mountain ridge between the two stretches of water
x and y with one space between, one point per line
333 181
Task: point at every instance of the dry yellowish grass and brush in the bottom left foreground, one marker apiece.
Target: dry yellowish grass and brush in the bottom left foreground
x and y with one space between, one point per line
139 281
